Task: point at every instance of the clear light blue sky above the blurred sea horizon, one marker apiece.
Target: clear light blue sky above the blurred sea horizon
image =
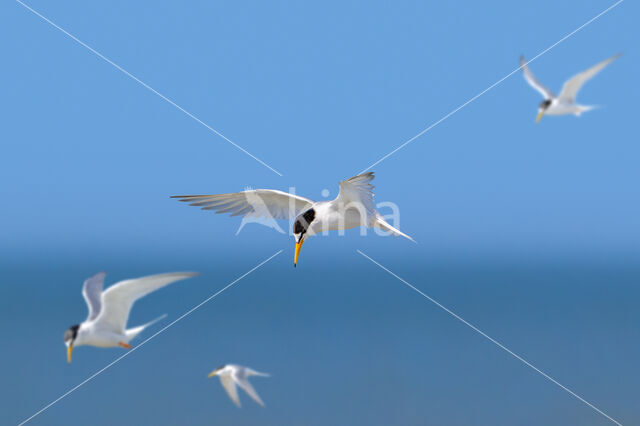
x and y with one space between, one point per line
319 92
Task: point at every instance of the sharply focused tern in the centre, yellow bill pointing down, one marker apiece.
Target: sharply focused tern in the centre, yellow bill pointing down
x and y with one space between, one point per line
352 207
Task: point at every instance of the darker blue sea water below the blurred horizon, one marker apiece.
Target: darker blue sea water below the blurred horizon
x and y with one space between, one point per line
345 342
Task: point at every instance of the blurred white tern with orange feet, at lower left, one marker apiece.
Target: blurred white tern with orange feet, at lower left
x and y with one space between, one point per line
109 310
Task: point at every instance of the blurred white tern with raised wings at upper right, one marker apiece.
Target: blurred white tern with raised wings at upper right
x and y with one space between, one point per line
565 102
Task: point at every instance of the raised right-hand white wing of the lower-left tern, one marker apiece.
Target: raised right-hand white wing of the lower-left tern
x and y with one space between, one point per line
118 299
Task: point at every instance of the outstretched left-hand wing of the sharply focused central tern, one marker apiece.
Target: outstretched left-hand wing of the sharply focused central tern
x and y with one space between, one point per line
256 203
